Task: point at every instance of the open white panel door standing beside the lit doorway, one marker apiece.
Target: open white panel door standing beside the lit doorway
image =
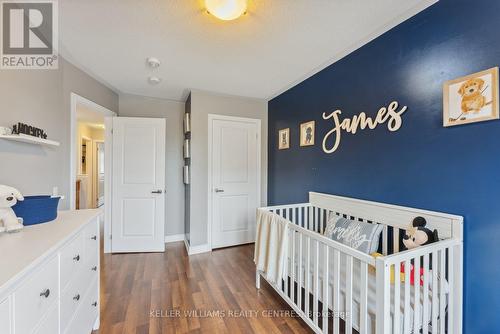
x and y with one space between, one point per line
138 183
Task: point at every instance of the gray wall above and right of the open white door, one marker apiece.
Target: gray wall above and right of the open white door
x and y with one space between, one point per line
172 111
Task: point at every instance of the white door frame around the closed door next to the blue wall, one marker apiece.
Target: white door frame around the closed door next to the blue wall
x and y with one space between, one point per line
211 119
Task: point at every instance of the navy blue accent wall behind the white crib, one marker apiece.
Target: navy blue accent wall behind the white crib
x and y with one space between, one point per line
423 165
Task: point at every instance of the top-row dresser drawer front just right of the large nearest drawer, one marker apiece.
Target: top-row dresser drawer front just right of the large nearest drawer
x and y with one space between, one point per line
72 258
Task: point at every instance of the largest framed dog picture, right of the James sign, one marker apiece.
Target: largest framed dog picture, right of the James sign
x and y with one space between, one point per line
473 98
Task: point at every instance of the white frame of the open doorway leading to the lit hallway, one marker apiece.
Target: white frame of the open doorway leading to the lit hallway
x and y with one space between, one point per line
76 100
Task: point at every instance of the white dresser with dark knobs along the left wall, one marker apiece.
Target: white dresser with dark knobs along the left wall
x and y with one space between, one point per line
49 276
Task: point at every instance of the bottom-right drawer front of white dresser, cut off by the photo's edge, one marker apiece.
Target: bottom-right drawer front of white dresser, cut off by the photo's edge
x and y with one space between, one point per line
86 313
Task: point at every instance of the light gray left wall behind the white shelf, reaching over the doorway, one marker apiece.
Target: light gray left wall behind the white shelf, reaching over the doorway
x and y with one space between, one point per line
42 98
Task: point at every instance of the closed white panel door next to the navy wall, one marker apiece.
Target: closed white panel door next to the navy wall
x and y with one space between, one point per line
235 180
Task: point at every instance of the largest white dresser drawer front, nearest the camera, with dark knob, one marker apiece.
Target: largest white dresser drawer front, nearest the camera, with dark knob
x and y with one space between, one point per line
35 296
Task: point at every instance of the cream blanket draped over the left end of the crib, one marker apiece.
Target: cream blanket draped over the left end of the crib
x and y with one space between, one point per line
270 244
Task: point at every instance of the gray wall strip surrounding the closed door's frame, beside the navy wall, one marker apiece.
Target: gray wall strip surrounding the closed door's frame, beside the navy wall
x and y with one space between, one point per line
202 104
